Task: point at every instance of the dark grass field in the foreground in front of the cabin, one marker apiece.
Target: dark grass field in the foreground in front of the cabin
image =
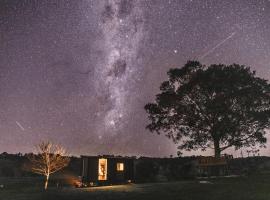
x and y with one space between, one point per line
239 188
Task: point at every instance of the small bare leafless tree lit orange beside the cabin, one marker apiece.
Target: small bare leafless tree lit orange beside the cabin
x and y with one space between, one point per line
49 159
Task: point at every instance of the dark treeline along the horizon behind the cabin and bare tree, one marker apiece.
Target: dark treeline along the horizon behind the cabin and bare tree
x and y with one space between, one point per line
146 169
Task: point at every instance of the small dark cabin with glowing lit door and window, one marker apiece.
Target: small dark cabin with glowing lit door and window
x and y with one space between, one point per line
106 170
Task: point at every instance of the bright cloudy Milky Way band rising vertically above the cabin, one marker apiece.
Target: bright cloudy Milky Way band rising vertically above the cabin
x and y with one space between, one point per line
122 28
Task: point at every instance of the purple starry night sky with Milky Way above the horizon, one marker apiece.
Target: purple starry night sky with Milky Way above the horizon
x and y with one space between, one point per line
80 72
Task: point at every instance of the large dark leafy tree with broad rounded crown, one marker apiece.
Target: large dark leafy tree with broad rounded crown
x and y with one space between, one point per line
216 106
